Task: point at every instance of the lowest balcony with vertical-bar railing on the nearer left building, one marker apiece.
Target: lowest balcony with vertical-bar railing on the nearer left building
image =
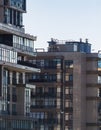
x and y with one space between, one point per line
13 122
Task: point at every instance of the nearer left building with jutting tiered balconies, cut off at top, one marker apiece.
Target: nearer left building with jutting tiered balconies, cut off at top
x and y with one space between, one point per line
15 49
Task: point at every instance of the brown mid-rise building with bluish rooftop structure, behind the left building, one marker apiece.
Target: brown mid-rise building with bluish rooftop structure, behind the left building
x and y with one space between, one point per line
67 95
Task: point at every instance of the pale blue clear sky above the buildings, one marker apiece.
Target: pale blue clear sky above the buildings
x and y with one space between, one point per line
64 20
